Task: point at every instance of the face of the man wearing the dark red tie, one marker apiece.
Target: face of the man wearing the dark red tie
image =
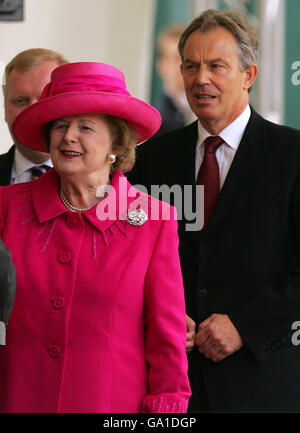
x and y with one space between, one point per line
216 89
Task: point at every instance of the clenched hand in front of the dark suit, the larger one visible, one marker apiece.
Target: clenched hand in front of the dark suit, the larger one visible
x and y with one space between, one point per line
217 337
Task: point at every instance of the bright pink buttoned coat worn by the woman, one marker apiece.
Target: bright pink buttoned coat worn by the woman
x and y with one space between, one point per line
98 323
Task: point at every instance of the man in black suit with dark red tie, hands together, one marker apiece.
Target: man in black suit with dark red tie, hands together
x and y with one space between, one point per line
242 270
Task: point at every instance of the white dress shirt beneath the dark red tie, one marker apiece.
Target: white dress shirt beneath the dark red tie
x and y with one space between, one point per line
231 135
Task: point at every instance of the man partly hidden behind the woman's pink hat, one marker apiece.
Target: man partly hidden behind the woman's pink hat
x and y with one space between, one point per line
25 77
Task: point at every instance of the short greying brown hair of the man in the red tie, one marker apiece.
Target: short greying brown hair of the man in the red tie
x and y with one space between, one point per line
236 24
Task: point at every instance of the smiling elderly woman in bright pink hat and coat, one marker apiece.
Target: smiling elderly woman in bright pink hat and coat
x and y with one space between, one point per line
98 323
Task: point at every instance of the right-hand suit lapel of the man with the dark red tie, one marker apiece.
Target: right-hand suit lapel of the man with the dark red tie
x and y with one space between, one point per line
251 152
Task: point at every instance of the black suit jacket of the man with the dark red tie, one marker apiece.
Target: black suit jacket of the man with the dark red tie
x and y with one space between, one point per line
246 265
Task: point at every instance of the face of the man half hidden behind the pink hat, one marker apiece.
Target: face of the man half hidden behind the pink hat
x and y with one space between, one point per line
22 90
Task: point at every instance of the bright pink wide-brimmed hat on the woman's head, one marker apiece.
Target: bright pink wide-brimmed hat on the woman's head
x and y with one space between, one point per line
85 87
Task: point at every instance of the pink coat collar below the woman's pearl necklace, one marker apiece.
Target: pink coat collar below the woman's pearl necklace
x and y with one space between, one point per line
48 205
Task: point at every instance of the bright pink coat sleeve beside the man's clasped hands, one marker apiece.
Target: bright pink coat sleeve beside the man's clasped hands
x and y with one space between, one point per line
165 327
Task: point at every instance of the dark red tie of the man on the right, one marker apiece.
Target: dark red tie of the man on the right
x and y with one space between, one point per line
209 176
